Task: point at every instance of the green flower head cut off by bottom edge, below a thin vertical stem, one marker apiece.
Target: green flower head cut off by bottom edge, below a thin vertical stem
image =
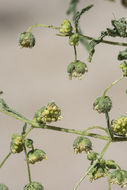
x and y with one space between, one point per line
34 186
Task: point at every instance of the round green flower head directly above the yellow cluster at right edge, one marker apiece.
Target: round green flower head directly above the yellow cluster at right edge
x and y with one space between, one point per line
102 104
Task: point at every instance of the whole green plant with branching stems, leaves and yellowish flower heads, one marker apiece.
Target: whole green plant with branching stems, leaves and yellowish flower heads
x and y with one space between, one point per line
116 130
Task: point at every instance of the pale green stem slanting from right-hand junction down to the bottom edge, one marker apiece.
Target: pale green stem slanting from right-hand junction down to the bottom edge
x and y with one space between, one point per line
92 166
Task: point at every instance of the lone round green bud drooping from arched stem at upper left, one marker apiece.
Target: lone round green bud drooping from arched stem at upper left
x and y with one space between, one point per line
27 40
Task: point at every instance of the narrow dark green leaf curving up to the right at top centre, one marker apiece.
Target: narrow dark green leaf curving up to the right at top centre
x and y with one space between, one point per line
78 15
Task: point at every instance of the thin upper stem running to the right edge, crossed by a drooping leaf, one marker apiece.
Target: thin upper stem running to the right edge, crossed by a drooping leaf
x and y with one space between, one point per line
104 41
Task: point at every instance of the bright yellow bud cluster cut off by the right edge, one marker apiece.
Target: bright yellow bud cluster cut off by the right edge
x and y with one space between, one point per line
119 126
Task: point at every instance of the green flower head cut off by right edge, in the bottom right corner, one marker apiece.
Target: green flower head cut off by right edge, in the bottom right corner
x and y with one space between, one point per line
118 177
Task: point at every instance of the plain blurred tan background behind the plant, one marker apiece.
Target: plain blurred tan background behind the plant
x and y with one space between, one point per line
30 78
